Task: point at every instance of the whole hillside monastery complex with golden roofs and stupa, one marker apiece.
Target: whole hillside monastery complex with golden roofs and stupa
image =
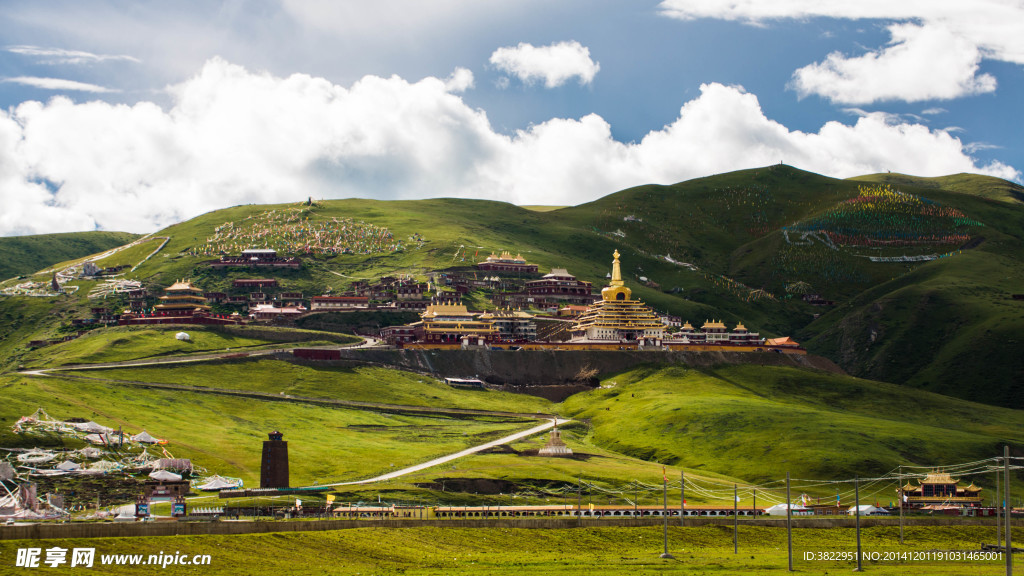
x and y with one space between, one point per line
553 312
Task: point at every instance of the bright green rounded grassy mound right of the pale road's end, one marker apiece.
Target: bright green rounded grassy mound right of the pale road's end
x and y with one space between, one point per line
758 424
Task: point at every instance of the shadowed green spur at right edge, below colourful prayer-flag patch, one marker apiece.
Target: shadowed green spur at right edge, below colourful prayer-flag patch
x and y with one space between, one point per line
949 325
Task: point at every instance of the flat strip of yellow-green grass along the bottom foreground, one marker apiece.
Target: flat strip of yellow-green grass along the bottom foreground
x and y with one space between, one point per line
424 552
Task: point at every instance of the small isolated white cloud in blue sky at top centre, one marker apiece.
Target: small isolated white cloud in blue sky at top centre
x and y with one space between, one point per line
554 64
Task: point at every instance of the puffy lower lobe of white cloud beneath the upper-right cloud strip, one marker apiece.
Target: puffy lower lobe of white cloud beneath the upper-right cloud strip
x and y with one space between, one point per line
921 64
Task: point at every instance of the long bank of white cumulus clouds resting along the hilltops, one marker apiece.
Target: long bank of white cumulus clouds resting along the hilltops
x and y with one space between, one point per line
234 137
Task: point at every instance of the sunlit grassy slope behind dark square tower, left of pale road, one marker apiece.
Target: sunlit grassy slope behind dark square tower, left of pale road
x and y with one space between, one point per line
224 434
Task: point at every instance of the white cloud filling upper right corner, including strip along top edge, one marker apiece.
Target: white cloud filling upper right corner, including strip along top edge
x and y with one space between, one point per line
934 54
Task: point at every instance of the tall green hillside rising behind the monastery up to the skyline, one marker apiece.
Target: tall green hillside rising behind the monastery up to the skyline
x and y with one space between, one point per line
867 273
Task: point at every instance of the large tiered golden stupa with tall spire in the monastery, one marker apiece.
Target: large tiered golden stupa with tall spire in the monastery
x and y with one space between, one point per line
617 317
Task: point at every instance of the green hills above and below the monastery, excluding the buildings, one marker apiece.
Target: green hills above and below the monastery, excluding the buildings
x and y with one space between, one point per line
913 282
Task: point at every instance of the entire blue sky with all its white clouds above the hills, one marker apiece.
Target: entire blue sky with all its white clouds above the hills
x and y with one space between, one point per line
136 115
